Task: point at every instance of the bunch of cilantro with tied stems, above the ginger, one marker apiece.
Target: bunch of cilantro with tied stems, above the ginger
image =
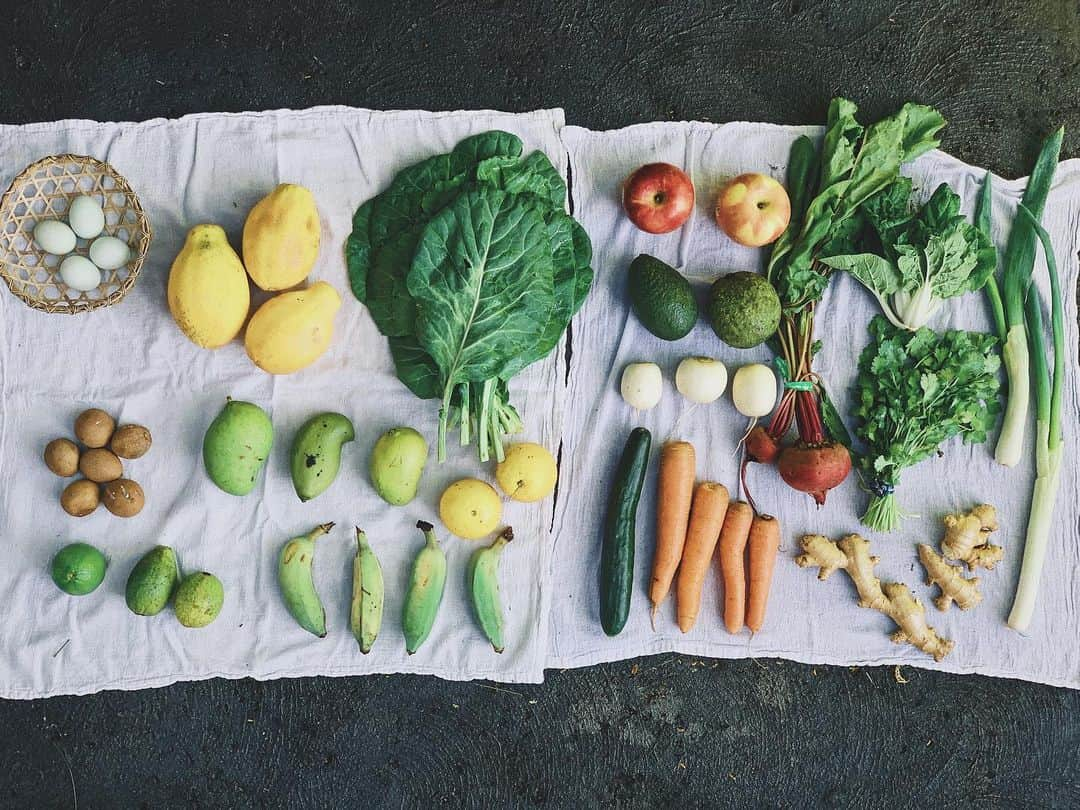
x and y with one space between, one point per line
915 390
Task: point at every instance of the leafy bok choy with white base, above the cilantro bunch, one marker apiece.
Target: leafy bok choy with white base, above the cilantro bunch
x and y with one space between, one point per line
926 256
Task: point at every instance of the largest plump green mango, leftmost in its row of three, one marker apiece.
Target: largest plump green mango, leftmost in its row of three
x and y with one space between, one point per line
237 447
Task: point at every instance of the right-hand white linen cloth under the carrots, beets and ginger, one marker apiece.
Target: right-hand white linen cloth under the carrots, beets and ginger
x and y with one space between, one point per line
808 622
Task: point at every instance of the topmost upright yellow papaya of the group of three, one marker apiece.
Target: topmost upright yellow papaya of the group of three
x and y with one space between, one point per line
281 238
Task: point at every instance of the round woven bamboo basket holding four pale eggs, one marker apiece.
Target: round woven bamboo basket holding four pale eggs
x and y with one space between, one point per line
44 192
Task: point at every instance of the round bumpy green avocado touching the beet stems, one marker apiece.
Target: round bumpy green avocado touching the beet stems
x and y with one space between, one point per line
744 309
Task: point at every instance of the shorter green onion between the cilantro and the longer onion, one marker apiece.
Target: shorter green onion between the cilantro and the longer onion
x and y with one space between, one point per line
1017 280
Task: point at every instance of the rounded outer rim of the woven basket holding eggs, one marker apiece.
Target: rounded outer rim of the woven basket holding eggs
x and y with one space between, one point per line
134 266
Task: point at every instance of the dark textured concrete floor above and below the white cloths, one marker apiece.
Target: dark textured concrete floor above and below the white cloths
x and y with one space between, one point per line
640 734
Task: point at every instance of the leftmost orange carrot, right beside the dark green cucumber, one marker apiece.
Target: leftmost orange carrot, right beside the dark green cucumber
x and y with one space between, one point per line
674 492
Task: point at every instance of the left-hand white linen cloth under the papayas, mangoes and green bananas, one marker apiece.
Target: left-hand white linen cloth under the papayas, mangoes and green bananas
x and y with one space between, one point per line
132 361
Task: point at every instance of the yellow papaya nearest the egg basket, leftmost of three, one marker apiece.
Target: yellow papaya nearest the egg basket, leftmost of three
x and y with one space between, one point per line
209 294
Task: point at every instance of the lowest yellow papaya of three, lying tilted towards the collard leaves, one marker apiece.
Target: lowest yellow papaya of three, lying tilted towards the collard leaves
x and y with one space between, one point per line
292 330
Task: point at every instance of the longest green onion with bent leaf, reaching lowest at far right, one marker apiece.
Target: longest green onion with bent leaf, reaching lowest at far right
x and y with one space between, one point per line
1048 448
